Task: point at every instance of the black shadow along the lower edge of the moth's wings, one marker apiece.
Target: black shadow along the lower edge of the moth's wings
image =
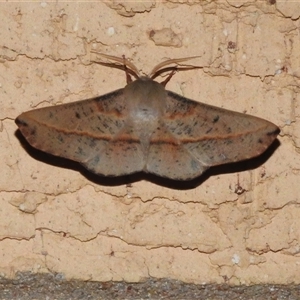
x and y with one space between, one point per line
129 179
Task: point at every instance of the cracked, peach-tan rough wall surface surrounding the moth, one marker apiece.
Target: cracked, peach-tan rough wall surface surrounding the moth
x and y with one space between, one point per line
236 224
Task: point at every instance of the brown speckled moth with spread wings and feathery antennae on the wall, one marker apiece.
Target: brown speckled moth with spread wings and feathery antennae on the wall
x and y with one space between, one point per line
144 127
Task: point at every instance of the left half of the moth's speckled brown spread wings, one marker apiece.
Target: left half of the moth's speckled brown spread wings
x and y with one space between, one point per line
88 132
